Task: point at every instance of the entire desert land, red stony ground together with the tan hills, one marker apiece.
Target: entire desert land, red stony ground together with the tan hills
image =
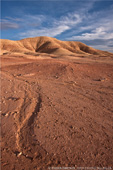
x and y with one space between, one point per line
57 105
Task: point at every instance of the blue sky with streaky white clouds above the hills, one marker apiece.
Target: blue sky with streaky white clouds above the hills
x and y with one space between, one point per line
88 21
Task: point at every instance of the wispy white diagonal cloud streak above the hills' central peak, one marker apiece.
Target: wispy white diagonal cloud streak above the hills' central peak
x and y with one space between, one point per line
56 27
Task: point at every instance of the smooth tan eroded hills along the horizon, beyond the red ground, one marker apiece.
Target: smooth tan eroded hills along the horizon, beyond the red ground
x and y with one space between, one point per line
48 45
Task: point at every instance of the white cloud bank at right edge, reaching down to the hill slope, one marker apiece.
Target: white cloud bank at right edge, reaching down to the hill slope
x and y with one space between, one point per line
95 29
